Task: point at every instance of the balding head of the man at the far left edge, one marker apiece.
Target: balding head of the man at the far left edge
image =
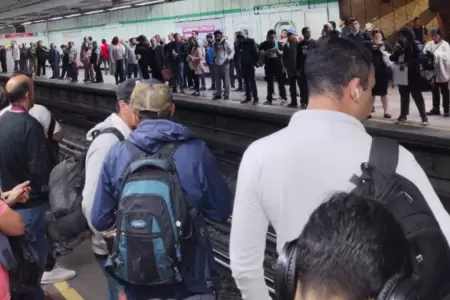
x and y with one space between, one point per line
20 89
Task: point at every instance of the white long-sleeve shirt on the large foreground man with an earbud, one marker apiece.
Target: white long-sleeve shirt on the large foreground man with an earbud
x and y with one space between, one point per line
285 176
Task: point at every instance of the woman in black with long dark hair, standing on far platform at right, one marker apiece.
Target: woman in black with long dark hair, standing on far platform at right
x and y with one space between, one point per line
408 57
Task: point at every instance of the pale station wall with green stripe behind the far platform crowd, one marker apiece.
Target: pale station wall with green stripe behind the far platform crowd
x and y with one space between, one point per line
228 15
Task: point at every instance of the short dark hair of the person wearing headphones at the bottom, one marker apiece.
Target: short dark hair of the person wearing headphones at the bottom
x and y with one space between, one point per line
350 246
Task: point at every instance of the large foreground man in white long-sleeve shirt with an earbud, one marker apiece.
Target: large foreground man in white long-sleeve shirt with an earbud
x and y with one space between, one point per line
285 176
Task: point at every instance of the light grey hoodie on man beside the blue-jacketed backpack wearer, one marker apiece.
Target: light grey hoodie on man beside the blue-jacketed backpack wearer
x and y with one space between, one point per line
94 162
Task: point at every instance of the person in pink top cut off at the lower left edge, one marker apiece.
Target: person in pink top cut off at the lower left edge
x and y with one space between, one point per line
11 225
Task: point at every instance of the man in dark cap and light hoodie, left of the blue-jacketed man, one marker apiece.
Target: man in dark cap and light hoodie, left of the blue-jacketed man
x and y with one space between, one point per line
122 122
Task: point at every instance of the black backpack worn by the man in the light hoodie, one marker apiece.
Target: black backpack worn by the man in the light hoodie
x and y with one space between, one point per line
66 224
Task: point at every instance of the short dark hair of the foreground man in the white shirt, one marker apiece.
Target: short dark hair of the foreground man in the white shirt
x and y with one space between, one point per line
334 63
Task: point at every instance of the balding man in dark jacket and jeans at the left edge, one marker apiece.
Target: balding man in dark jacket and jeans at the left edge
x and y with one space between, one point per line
25 157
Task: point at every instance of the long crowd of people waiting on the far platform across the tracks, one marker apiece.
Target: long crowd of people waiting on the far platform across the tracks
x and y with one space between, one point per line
412 63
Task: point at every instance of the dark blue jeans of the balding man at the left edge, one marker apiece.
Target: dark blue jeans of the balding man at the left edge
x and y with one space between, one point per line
34 220
